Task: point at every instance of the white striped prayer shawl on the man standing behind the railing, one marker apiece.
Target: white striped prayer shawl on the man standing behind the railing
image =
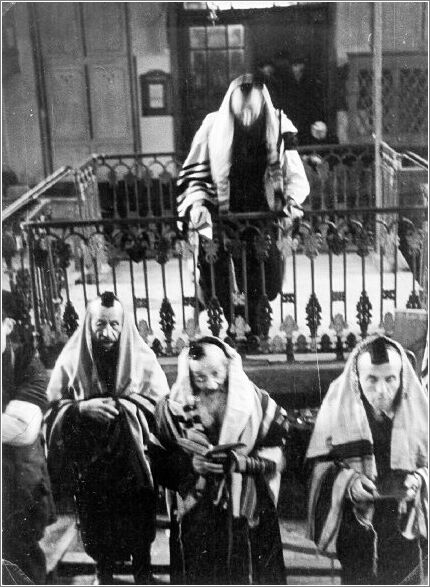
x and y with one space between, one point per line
205 173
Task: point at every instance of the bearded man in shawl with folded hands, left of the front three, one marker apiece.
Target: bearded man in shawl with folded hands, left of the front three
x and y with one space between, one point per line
104 389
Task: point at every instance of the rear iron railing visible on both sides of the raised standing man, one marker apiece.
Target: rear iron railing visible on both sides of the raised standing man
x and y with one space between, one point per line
140 185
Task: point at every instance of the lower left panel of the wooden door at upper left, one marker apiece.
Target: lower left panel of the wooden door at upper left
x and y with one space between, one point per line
67 102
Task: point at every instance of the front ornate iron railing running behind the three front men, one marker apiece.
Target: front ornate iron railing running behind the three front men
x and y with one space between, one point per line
325 304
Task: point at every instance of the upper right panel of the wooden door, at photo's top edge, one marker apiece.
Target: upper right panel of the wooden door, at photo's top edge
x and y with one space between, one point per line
104 27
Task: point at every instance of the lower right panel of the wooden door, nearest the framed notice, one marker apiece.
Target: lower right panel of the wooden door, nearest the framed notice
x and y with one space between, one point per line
110 100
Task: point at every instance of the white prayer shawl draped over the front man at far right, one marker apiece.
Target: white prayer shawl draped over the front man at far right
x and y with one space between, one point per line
342 420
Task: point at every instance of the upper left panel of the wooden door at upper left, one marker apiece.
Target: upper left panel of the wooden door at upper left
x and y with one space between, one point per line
60 29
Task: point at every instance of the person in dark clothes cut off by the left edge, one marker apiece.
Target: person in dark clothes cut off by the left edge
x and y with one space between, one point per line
27 505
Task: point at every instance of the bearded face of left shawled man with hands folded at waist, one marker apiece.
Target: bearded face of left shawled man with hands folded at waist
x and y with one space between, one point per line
106 324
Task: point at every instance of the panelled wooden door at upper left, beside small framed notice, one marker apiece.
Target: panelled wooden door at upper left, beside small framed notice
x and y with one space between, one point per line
87 81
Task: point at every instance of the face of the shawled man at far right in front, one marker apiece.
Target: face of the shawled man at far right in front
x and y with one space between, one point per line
380 383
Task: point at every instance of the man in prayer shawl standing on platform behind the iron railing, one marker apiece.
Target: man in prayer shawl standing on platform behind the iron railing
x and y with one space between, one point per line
242 159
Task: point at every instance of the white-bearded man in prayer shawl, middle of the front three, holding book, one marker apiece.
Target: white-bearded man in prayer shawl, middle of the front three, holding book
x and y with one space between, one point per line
228 436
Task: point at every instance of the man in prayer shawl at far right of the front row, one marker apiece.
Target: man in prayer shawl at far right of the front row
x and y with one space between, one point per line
368 495
